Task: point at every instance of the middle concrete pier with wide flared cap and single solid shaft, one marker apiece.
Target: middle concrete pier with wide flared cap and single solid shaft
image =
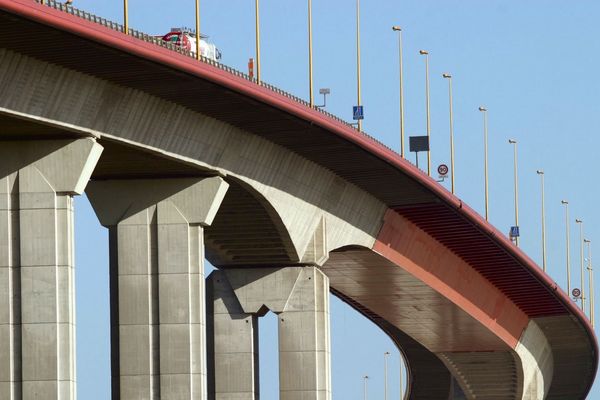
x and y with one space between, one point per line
157 283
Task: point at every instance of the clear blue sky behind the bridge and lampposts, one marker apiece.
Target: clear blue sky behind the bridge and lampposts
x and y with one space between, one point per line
531 63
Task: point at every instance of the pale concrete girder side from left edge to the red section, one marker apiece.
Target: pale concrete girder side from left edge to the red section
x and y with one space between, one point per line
318 210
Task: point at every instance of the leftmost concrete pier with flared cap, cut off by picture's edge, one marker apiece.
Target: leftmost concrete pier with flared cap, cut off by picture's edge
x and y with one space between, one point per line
38 180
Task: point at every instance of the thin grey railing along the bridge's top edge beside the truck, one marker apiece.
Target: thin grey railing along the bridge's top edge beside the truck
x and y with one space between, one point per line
159 42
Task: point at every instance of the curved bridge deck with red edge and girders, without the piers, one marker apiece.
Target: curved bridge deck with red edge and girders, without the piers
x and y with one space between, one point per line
473 315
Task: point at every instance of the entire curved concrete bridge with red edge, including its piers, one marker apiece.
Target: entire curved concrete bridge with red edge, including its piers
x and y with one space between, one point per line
185 159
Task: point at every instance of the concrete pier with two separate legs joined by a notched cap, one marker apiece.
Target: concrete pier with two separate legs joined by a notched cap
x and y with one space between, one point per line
300 298
